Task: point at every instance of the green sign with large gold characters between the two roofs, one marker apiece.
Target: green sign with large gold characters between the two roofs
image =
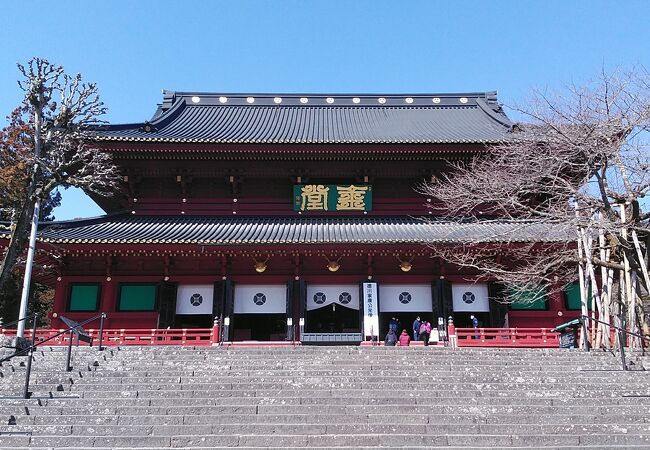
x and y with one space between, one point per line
332 197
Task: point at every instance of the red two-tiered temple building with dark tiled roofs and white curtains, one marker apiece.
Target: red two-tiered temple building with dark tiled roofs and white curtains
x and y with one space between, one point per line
266 211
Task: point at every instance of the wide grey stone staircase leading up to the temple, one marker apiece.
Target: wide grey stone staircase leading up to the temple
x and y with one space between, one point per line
162 397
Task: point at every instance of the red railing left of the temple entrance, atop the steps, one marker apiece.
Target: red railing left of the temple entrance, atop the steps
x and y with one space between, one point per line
189 337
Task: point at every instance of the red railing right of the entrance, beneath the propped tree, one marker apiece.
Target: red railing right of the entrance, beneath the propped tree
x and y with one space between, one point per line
507 337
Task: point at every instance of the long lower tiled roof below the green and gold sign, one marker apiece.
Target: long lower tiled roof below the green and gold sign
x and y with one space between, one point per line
127 229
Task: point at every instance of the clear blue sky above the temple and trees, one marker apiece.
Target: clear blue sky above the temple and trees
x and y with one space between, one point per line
133 50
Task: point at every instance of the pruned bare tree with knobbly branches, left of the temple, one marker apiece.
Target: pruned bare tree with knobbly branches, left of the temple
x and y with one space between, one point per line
47 146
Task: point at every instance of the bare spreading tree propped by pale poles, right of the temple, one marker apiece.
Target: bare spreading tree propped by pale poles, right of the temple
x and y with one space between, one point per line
579 165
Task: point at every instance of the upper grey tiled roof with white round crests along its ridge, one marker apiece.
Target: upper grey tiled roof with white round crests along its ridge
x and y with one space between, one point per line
327 119
